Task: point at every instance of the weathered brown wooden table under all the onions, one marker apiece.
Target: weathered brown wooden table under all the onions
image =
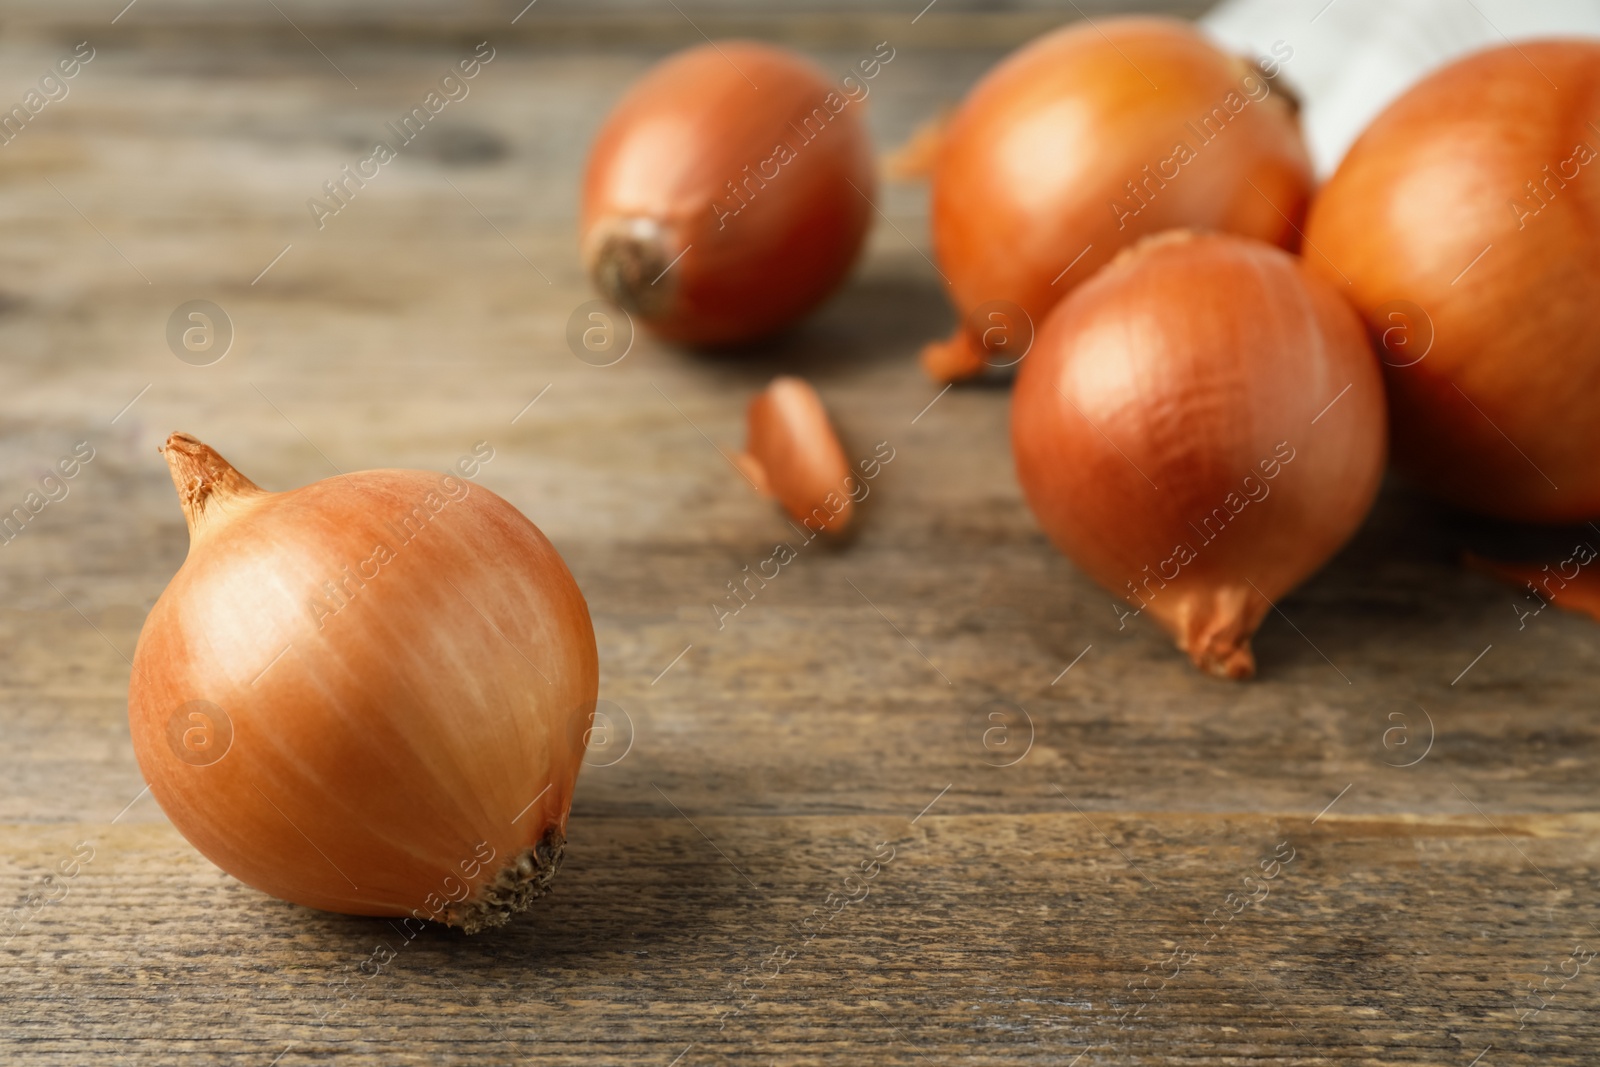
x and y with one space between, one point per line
841 717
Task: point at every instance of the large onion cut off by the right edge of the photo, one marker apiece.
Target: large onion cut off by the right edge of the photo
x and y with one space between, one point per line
1502 415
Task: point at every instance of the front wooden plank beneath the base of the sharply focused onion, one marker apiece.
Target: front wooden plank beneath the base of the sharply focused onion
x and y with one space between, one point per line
1002 940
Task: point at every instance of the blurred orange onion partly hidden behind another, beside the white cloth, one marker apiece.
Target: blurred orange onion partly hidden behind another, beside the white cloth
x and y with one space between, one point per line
1089 140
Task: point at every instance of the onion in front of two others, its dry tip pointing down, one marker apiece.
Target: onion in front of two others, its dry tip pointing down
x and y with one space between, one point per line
1169 388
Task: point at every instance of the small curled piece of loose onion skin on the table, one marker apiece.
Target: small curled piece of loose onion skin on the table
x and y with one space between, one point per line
794 455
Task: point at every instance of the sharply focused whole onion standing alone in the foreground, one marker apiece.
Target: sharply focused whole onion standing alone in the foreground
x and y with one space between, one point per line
399 751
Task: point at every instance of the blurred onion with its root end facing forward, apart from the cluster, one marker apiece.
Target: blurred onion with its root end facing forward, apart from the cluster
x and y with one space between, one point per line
668 178
